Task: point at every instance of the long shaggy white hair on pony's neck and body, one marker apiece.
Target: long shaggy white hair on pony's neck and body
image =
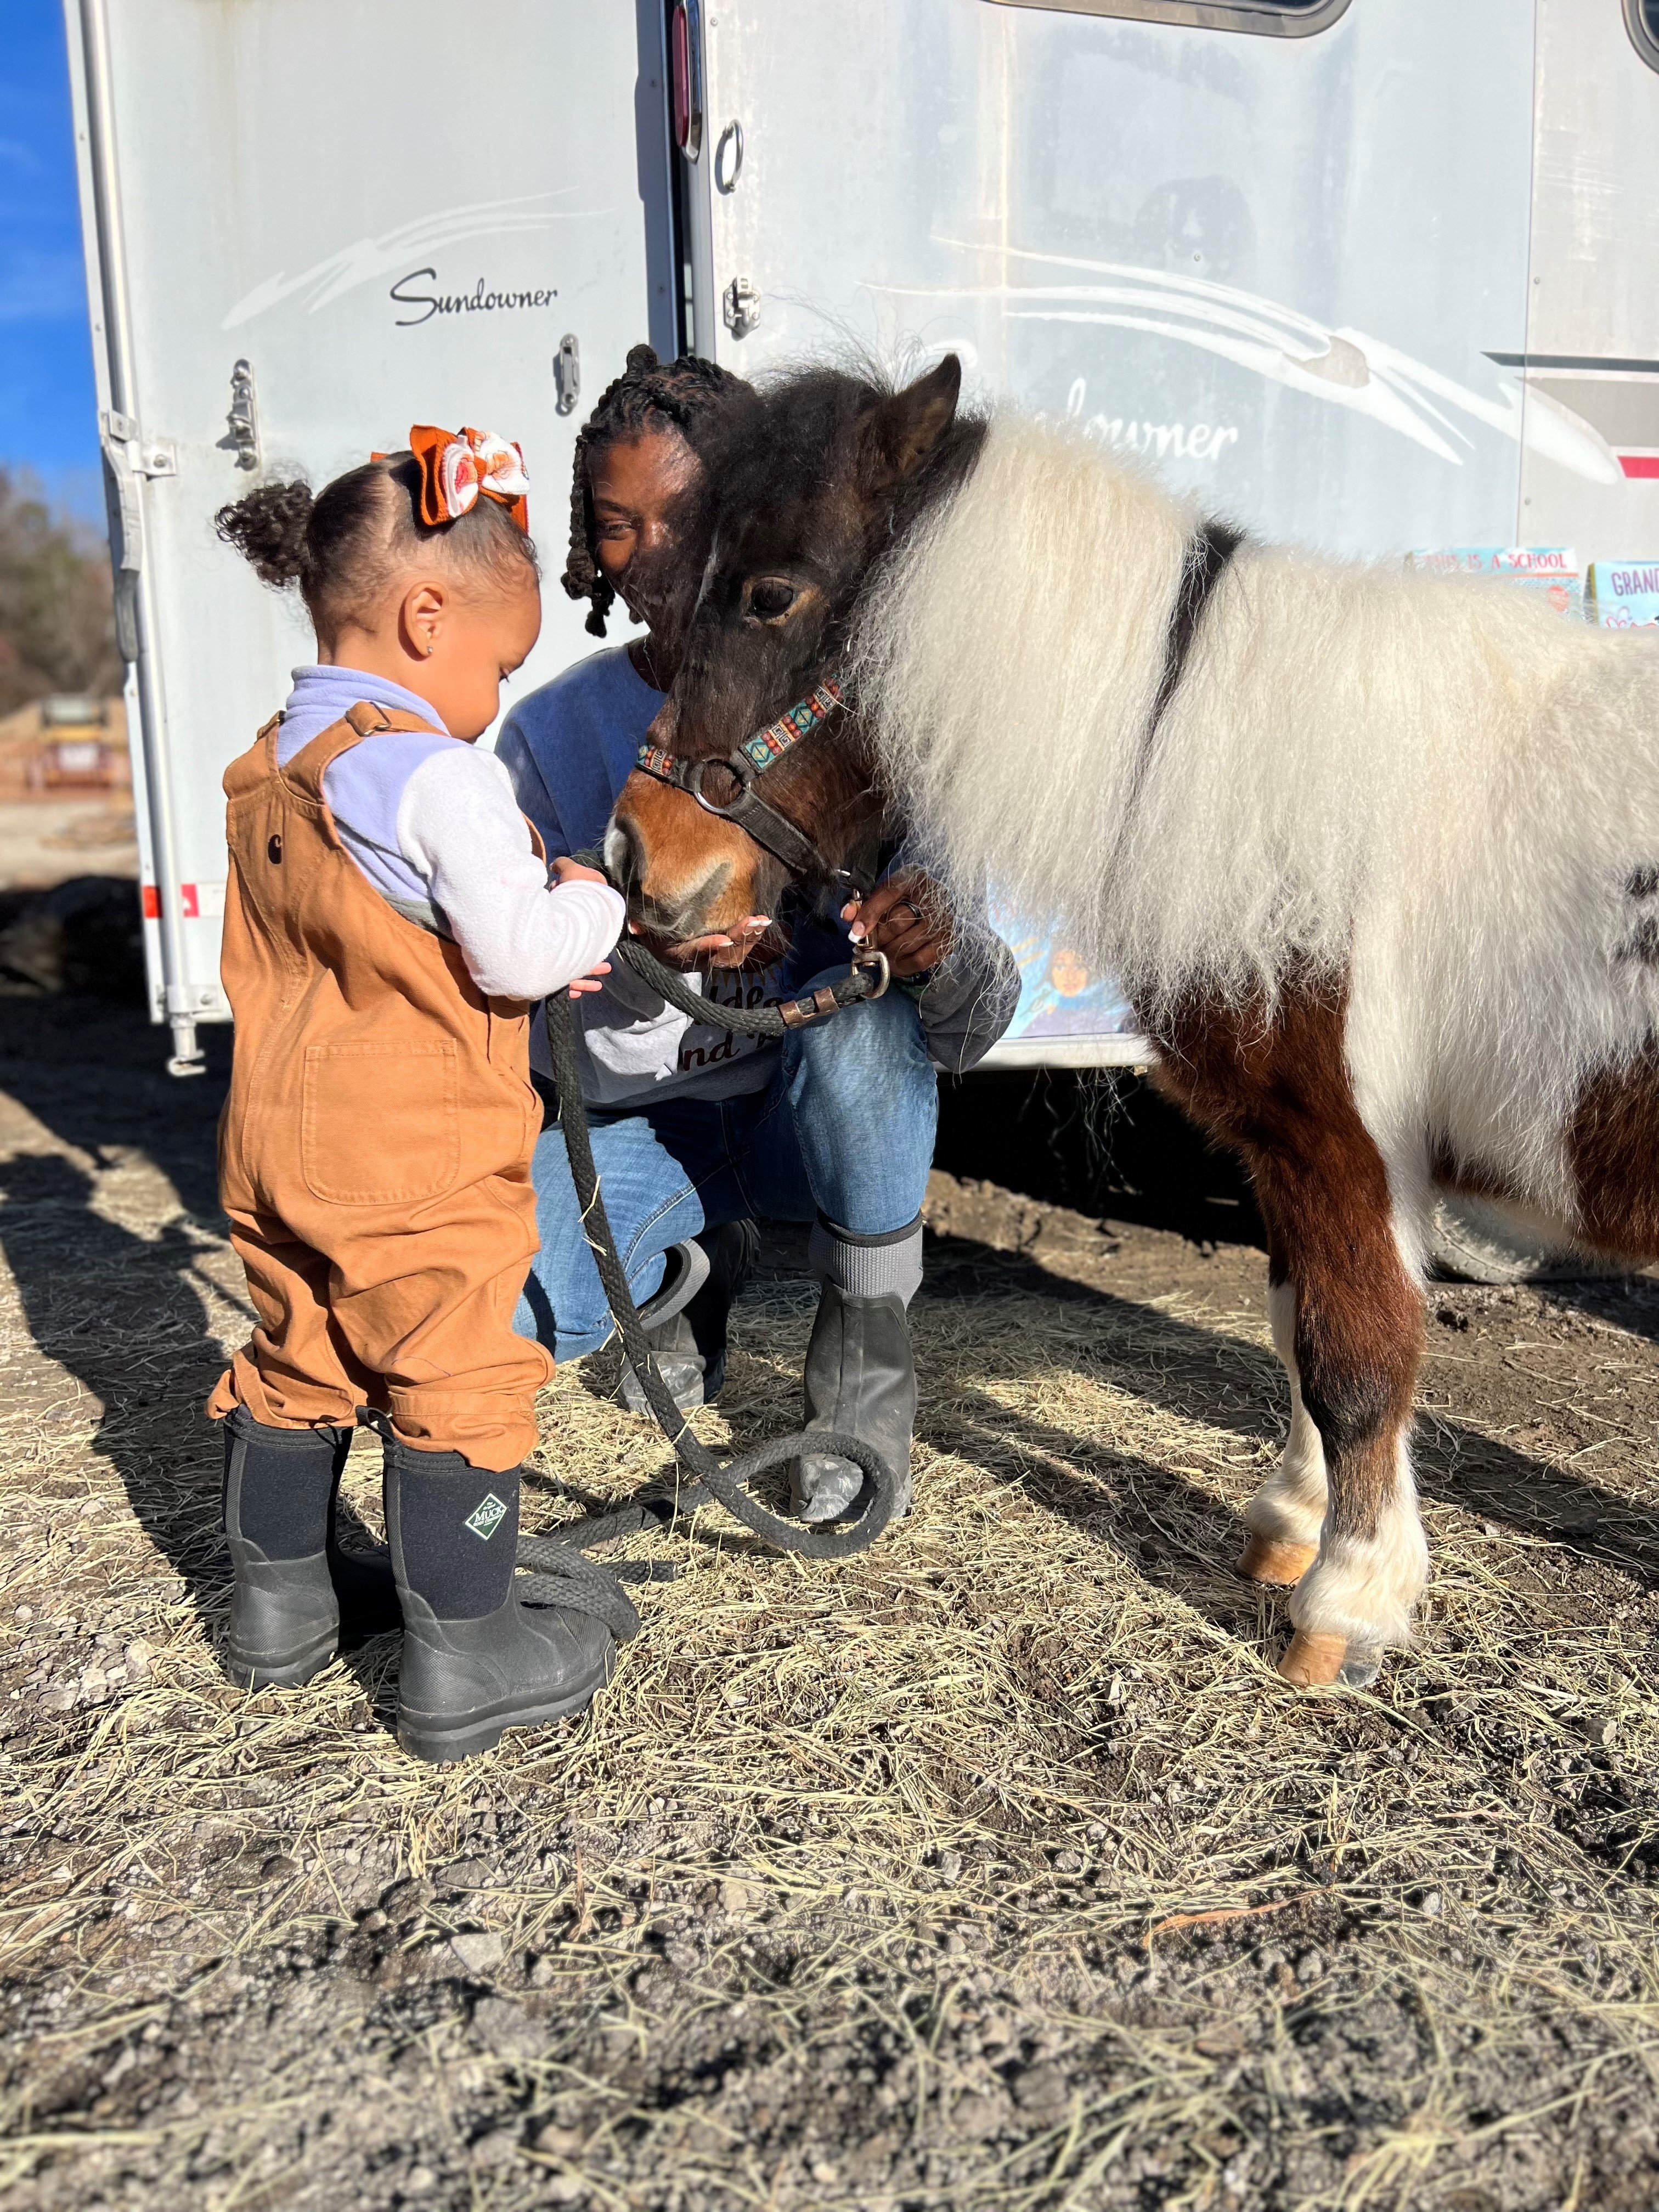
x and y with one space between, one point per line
1430 786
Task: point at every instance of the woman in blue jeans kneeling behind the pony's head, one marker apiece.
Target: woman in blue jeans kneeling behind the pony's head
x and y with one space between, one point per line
696 1131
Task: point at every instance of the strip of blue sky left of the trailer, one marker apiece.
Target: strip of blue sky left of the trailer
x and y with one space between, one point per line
48 410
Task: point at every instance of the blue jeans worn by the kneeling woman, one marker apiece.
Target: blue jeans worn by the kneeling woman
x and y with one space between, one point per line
846 1129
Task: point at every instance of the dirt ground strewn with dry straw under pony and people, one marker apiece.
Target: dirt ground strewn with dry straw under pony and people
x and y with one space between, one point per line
994 1868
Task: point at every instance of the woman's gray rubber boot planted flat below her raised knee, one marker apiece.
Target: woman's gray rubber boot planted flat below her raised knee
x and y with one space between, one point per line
862 1377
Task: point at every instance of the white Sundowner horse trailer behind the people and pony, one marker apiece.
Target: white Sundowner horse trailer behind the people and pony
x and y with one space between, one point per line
1377 275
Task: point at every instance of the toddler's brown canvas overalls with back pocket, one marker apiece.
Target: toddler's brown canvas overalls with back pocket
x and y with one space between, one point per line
377 1142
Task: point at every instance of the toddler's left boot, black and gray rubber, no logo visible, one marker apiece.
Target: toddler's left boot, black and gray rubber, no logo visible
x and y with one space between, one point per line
295 1594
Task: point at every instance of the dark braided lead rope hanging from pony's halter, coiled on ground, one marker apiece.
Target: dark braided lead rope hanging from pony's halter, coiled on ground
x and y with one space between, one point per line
561 1576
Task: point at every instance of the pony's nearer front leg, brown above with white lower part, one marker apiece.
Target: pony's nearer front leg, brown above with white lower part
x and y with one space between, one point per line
1357 1339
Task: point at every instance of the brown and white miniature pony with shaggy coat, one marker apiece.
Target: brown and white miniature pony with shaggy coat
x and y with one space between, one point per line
1381 875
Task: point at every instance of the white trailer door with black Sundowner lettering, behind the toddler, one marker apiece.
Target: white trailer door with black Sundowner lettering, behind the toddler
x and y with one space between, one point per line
309 227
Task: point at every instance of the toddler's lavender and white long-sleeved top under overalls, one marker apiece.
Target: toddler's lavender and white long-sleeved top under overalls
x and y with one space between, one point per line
435 826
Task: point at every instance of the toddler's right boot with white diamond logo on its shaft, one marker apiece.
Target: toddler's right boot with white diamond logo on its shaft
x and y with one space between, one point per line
474 1658
